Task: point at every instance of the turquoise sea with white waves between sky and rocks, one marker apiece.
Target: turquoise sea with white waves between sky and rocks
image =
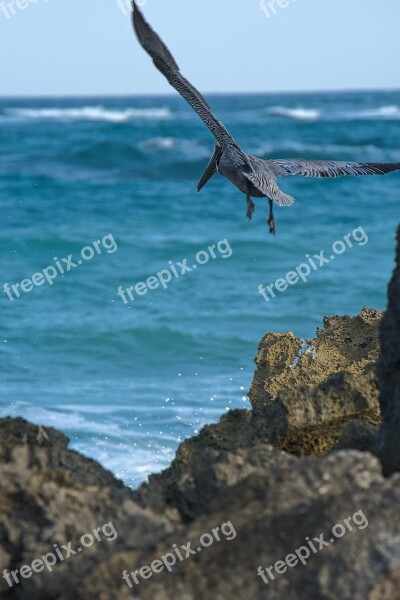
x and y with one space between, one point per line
128 381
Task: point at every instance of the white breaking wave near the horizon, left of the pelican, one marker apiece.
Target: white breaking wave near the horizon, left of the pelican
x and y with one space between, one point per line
90 113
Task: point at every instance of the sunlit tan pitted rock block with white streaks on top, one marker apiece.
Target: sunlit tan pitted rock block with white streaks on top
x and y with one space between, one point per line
304 394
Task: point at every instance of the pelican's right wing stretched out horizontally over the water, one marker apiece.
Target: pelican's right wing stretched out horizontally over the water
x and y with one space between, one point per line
328 168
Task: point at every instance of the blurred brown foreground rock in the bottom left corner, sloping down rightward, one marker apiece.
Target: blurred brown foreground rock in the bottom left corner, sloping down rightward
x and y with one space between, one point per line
51 495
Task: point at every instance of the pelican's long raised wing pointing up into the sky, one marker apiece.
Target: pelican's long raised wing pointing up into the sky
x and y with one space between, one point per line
165 62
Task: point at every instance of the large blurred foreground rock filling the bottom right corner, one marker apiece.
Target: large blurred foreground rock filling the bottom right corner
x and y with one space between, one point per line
273 514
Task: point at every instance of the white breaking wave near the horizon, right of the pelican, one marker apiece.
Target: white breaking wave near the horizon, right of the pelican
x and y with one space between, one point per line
389 112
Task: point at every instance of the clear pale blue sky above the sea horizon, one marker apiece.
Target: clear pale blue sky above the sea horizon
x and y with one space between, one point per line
86 47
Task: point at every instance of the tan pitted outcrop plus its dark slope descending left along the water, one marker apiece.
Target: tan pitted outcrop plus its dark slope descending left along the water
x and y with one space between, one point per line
303 409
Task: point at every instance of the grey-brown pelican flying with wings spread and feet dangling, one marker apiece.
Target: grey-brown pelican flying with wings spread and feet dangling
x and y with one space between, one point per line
253 176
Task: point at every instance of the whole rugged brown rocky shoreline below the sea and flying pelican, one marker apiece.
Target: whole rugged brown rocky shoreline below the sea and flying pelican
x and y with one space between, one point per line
317 455
